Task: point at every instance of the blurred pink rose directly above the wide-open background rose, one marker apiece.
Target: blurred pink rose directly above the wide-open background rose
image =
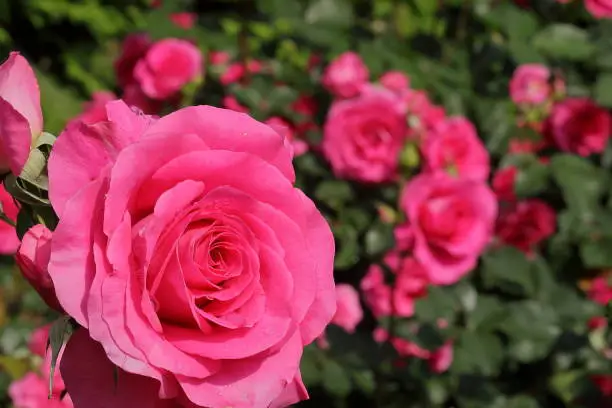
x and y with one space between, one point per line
454 146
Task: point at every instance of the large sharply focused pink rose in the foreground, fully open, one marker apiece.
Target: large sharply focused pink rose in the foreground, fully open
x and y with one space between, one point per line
185 251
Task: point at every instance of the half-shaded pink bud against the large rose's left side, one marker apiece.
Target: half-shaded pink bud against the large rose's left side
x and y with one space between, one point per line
33 260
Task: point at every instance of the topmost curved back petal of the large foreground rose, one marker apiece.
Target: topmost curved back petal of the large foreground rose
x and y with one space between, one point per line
228 130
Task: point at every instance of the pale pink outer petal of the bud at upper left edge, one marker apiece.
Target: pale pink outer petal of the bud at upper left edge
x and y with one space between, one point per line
18 86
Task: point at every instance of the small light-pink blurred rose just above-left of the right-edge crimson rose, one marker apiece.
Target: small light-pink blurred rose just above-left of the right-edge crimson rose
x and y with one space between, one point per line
530 84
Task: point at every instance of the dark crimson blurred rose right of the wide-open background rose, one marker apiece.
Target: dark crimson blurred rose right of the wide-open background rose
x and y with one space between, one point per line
526 223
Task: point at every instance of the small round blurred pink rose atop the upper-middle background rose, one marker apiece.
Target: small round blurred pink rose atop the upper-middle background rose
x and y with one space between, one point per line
345 76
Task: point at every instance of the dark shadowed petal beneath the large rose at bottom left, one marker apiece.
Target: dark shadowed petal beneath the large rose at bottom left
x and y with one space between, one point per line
90 379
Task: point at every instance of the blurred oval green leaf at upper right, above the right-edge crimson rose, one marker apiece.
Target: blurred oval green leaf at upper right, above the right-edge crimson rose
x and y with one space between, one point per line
564 41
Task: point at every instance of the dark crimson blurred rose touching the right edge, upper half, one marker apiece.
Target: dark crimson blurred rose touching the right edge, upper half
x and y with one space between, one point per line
579 126
